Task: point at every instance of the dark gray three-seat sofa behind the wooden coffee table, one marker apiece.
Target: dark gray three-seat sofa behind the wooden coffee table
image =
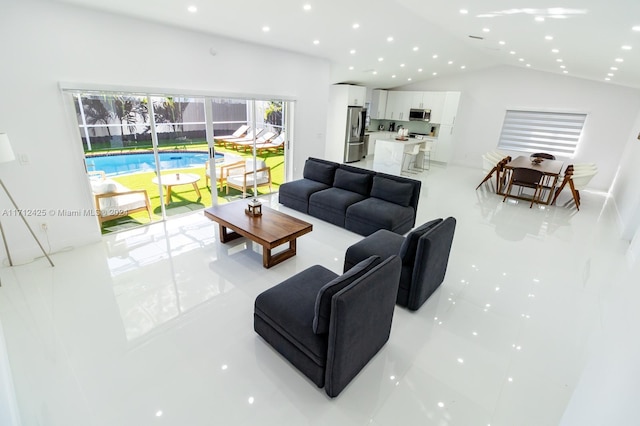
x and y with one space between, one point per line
360 200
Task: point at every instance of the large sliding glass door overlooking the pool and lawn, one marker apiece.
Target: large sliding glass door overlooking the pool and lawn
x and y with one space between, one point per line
148 157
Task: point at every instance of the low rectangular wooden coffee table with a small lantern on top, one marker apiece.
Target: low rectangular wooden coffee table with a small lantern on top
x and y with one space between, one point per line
270 230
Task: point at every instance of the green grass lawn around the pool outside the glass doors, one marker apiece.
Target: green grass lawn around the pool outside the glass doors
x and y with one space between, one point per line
184 197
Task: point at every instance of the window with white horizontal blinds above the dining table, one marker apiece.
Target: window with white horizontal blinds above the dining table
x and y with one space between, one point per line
557 133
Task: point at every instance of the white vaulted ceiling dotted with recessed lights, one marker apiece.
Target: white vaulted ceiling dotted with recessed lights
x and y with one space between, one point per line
589 34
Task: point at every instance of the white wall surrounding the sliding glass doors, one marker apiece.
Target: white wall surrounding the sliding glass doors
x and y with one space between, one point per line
44 43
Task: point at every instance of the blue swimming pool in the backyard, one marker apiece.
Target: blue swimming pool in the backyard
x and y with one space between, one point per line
132 163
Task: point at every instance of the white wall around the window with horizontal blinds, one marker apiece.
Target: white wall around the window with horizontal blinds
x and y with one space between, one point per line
486 94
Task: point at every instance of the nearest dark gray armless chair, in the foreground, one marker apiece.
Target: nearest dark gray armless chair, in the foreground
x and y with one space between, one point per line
330 326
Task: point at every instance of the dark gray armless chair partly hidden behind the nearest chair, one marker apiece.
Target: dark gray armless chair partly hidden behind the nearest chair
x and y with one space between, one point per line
424 254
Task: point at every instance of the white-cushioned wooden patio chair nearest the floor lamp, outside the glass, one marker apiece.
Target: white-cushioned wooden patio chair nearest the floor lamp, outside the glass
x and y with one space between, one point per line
114 200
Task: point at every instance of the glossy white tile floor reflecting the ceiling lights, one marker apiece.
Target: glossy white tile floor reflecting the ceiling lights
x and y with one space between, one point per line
154 325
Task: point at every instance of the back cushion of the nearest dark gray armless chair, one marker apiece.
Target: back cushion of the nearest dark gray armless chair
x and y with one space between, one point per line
326 293
